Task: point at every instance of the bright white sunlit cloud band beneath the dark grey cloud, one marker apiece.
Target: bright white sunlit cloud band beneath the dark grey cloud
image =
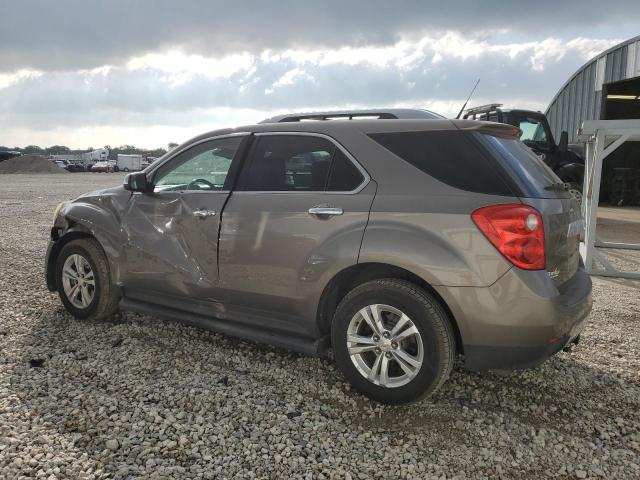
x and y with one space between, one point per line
72 99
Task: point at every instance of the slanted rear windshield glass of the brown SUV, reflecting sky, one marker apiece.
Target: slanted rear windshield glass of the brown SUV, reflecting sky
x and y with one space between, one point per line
529 172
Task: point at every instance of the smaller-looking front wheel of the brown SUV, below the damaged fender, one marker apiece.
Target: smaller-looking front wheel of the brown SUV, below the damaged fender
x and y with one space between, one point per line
104 298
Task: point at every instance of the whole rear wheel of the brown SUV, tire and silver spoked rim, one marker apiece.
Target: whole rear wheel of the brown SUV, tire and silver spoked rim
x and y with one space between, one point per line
393 297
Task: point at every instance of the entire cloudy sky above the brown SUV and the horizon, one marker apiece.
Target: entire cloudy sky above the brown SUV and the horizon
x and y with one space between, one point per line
88 73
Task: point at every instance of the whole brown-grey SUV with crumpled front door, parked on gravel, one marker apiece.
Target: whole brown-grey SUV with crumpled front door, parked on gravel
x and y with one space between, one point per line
398 244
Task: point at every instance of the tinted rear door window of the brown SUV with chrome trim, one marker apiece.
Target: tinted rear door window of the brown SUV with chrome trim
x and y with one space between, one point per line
299 163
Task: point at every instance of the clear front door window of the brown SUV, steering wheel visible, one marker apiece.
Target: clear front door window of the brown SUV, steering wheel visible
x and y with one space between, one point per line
202 167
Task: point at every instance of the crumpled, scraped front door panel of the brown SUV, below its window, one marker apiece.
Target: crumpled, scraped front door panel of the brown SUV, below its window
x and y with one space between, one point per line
167 248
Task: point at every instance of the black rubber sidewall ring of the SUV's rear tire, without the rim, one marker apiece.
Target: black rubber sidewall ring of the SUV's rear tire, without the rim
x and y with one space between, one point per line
427 379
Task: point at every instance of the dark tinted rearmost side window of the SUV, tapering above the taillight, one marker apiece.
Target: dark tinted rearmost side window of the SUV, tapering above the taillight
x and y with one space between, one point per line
451 157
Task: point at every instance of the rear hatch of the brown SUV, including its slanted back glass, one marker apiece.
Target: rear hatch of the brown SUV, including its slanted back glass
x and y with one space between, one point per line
536 185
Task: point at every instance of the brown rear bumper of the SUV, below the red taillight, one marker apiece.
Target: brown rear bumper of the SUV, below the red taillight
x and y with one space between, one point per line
519 321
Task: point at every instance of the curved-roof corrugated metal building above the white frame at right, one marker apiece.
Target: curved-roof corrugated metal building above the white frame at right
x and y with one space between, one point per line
607 87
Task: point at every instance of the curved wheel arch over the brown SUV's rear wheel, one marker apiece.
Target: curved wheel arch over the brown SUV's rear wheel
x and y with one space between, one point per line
350 277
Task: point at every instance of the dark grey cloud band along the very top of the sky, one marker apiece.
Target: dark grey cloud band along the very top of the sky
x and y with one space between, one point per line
72 34
